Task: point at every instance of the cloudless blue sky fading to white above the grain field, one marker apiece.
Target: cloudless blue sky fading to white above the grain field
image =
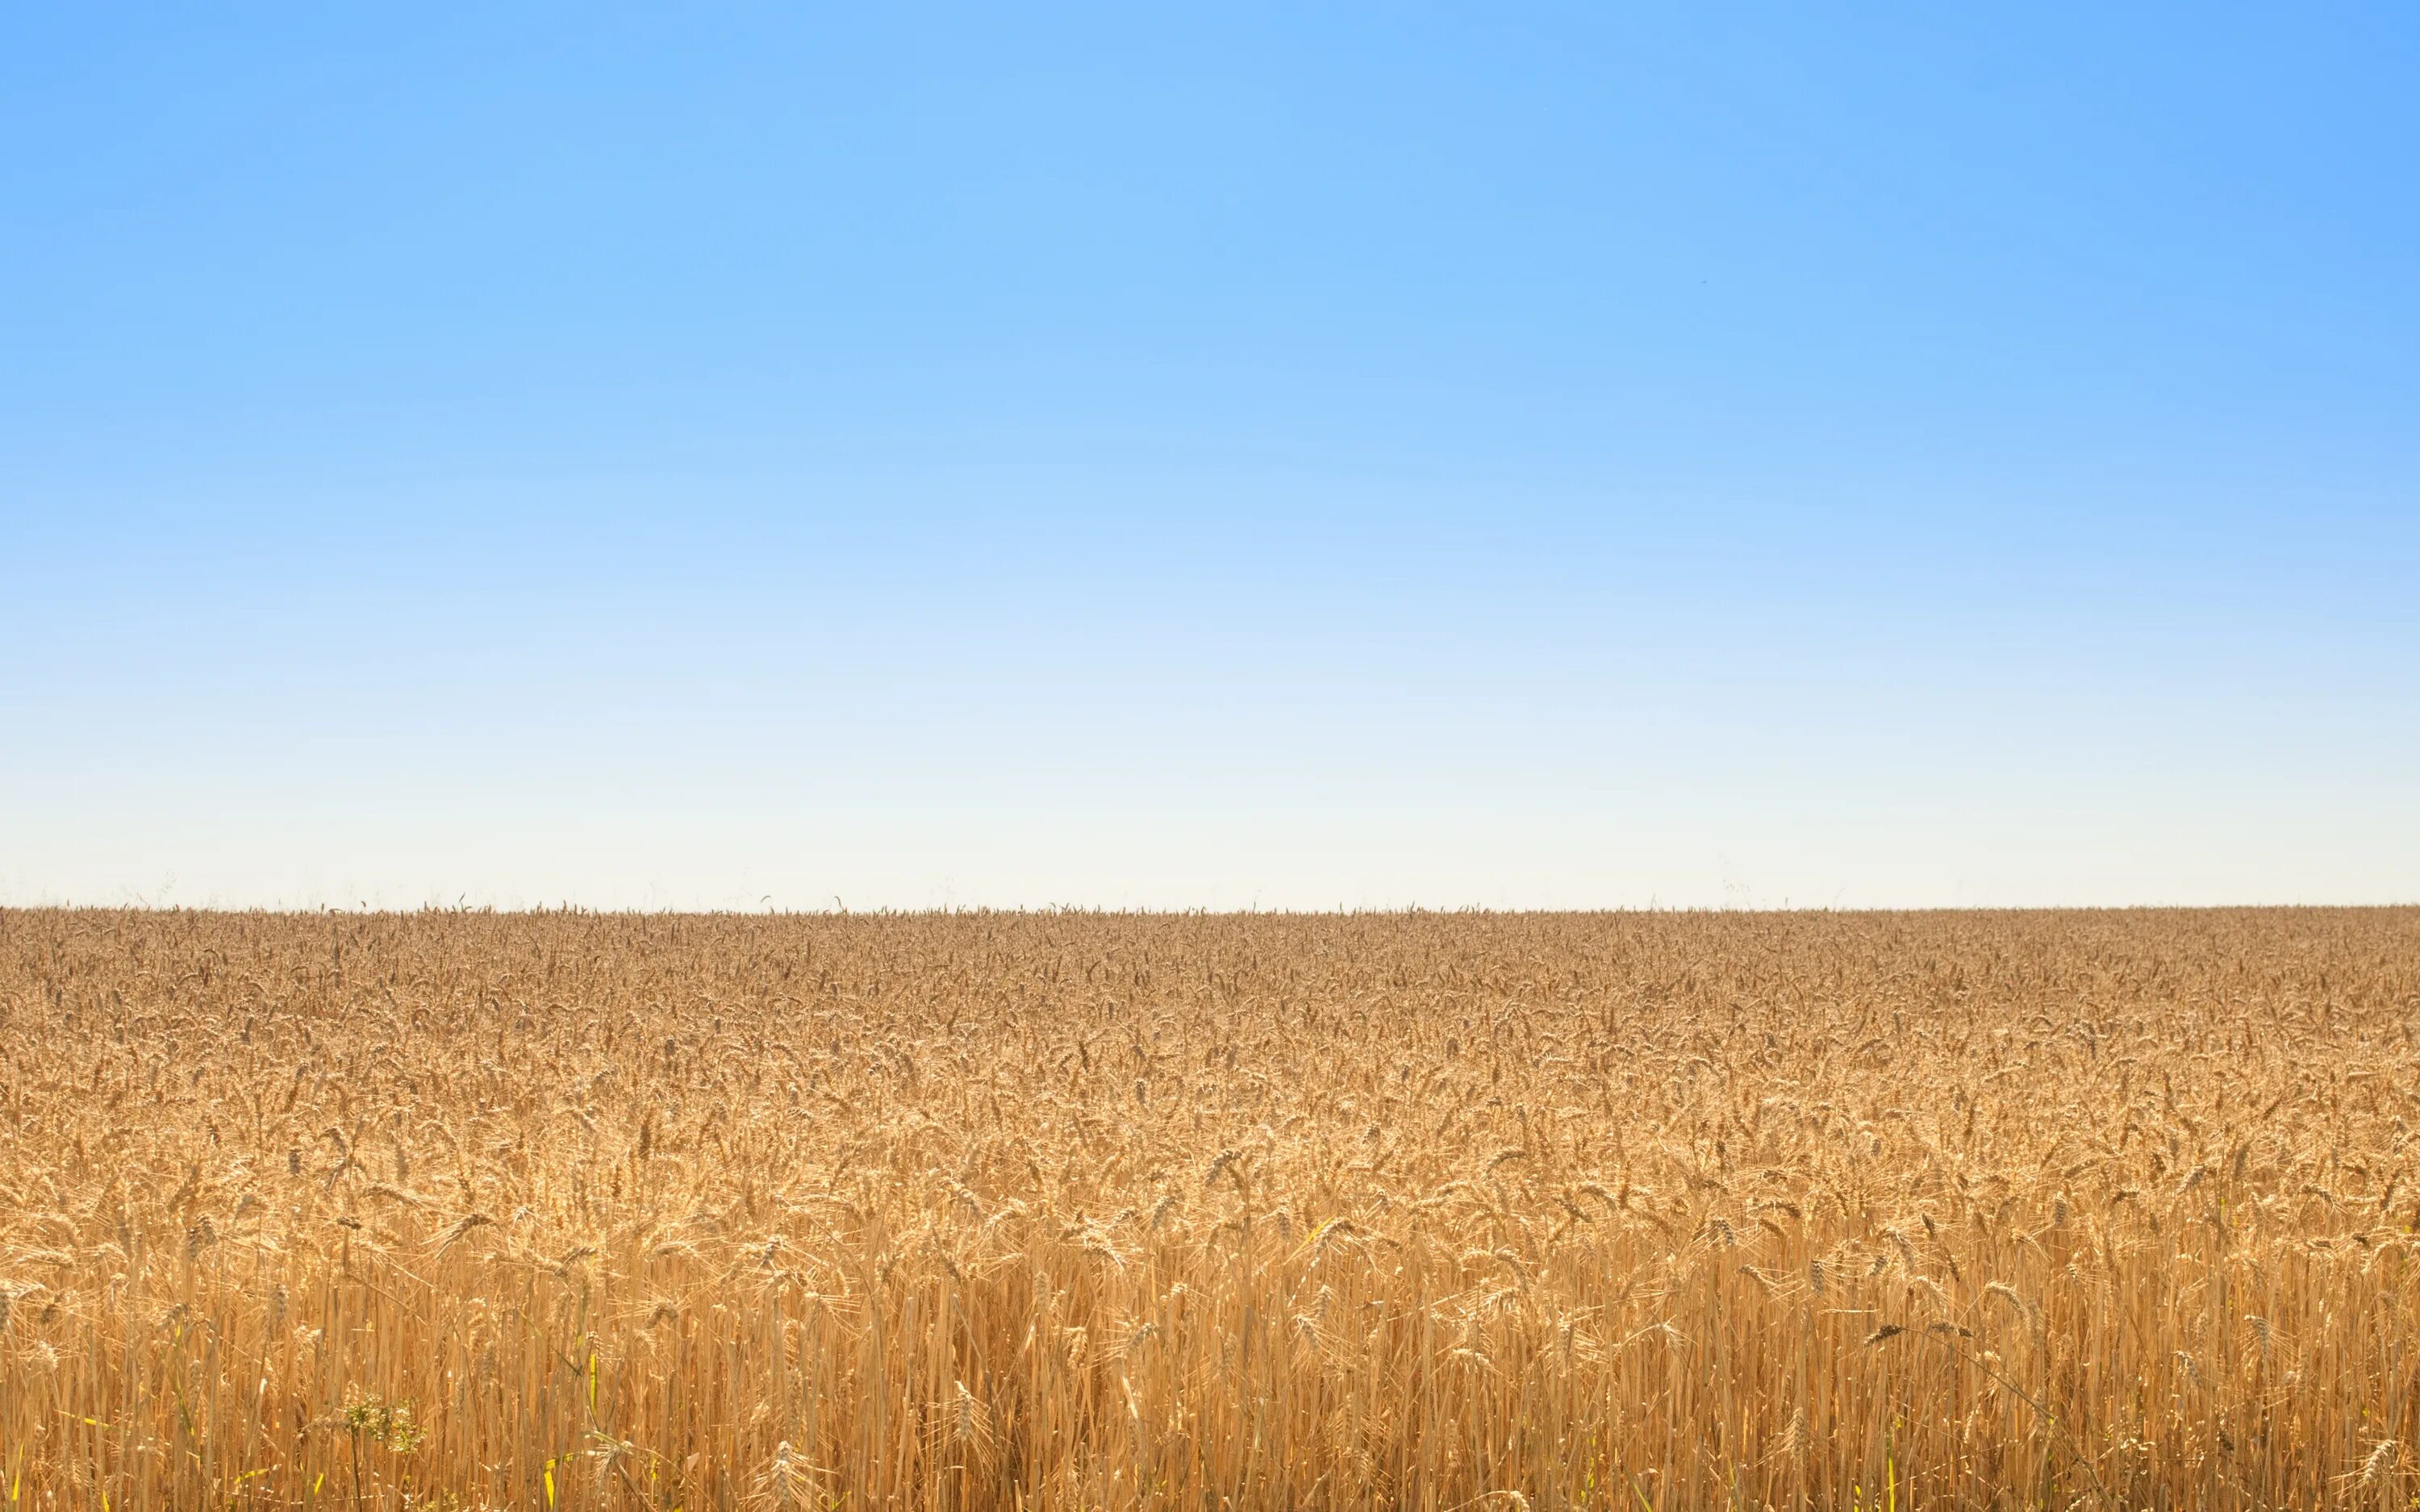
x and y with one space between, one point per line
1262 456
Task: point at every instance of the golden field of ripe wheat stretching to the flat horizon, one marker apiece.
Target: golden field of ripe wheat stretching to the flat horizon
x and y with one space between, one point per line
1090 1211
